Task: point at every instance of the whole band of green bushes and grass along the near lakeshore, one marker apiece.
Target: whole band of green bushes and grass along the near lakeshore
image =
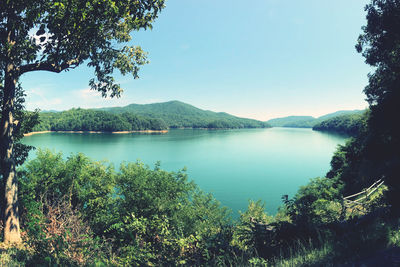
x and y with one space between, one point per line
79 212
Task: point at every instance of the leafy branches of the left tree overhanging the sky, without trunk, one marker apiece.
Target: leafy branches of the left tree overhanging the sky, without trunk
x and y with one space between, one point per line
56 36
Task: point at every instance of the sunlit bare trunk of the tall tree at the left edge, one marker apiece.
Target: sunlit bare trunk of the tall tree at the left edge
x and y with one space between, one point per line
10 182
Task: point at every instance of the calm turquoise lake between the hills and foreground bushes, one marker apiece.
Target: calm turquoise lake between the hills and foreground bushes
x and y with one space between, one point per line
234 165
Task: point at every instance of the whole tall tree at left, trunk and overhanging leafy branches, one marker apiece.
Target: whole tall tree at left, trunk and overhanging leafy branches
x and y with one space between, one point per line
56 36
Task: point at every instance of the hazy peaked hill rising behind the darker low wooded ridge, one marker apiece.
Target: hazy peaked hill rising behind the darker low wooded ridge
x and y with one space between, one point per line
177 114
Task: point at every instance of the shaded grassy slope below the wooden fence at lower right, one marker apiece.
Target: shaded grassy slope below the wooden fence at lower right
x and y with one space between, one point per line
360 244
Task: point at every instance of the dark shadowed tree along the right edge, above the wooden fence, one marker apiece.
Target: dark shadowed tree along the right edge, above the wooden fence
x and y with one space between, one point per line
380 45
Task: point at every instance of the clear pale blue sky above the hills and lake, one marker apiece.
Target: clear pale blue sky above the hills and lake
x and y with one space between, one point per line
259 59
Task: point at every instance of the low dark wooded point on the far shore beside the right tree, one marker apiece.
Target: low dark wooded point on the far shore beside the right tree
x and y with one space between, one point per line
350 124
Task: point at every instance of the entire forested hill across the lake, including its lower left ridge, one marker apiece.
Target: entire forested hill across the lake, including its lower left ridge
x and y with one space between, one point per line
159 116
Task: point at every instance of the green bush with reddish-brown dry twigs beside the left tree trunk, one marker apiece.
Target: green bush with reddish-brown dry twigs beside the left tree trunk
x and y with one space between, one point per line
54 197
